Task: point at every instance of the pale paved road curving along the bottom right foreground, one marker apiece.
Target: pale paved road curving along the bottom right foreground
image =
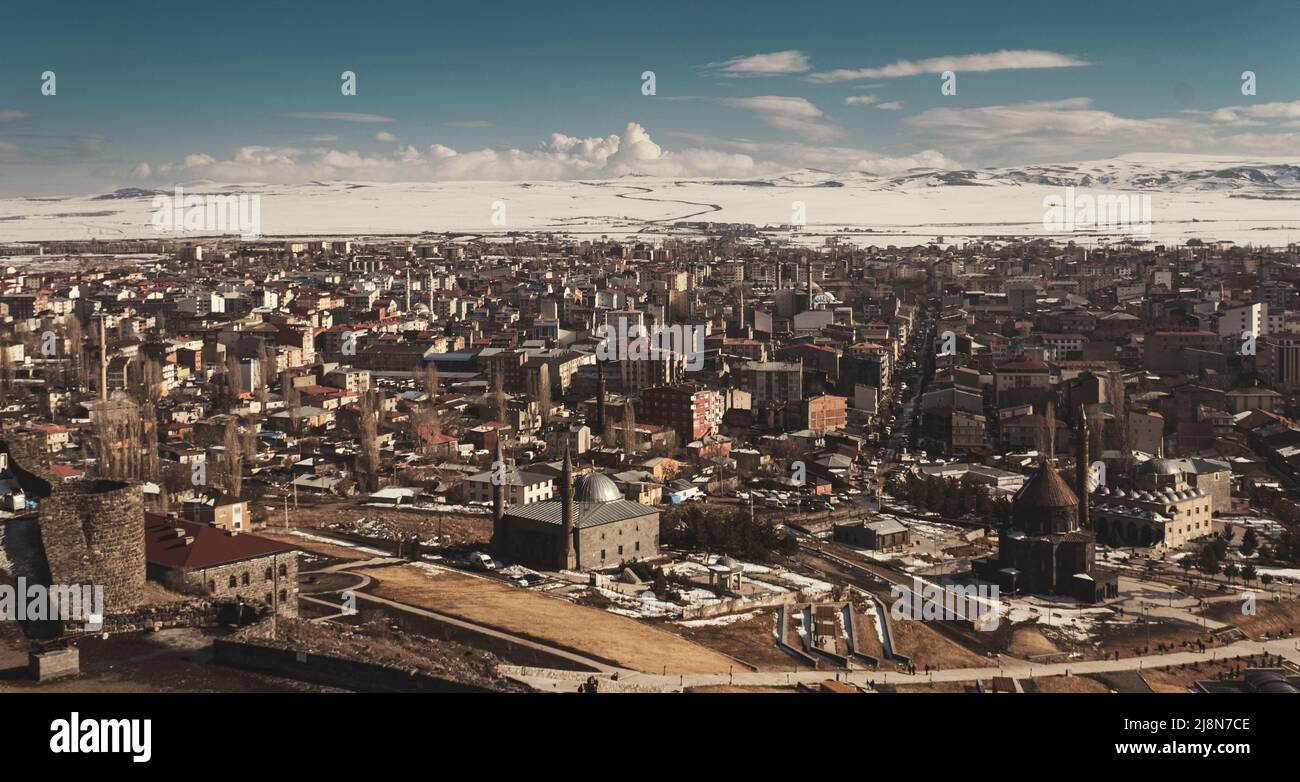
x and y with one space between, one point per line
567 681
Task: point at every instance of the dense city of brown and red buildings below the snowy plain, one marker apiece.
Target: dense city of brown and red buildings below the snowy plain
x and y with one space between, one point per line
730 462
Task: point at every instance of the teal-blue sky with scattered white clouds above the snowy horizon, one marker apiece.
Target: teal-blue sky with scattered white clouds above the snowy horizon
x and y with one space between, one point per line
151 94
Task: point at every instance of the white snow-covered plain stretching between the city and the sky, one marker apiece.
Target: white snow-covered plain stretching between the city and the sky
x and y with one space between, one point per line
1255 202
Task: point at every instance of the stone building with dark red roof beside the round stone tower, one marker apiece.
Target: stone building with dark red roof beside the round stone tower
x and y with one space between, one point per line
190 557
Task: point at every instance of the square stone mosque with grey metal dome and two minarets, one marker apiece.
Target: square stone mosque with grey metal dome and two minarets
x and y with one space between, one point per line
591 528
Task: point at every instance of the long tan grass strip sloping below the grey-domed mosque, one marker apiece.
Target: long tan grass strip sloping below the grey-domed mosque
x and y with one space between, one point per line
552 620
